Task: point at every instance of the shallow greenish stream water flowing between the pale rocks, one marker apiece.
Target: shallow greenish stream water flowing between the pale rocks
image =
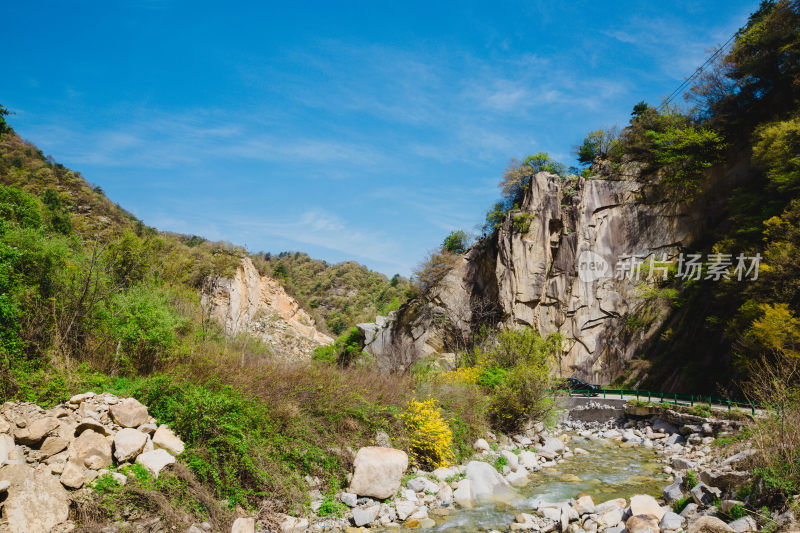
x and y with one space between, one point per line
609 471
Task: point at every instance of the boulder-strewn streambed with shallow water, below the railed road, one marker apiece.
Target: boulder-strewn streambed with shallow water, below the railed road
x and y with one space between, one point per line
622 475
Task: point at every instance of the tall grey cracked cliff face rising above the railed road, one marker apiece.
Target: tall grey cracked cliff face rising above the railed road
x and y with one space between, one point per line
536 271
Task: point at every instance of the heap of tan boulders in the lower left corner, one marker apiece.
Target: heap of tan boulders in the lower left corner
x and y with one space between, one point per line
43 453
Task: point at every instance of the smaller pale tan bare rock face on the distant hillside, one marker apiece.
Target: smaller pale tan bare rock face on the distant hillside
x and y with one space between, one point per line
258 305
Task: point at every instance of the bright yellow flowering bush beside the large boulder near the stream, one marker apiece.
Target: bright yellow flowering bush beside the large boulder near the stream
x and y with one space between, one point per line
429 434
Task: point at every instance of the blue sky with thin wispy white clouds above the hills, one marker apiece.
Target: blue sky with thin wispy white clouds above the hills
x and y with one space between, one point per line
348 130
